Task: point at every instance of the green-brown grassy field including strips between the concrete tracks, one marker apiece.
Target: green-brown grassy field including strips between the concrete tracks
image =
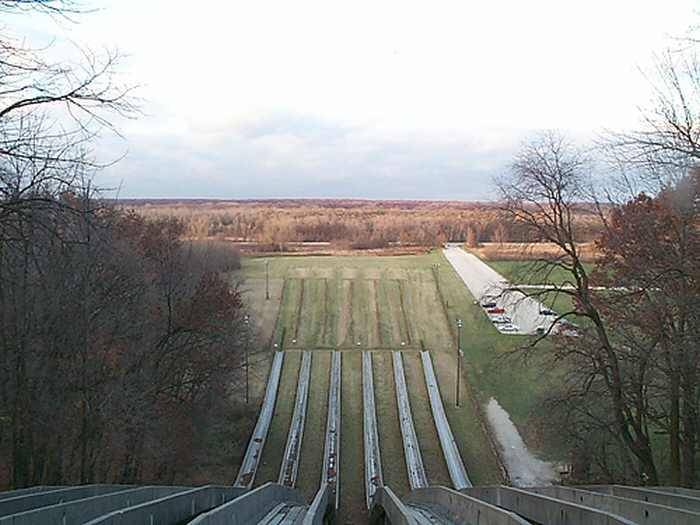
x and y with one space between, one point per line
382 304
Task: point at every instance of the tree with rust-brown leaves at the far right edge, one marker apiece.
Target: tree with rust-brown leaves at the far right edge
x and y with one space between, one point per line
662 157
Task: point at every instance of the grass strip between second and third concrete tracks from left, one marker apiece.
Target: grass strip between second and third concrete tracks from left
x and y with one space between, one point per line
311 461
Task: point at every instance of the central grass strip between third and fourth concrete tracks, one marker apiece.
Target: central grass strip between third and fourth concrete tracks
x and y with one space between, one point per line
352 483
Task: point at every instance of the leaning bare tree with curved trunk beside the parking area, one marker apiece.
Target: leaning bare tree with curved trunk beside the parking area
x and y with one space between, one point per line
547 185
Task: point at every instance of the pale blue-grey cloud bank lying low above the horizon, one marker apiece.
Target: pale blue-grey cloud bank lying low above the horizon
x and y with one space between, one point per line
285 155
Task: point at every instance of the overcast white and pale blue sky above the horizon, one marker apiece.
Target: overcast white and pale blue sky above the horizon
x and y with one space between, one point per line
378 99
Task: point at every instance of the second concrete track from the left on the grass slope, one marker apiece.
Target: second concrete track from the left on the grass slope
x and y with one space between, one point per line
292 450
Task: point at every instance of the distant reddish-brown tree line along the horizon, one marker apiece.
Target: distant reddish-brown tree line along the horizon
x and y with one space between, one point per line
349 225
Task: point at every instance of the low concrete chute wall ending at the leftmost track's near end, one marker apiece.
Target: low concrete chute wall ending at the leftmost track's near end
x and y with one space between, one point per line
173 509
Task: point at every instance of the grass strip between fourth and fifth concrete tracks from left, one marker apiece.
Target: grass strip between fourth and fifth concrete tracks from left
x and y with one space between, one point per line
390 440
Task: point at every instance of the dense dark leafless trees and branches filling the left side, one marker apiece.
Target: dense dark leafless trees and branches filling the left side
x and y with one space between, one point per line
120 343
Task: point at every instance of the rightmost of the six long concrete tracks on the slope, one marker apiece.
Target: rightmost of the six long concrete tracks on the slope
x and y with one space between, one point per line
455 465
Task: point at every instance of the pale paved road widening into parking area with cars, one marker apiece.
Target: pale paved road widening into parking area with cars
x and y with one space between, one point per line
484 281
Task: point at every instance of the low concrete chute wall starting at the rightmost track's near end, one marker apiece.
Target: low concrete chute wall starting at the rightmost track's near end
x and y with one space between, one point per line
544 509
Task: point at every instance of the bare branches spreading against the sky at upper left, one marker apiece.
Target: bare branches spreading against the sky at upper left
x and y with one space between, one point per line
50 112
